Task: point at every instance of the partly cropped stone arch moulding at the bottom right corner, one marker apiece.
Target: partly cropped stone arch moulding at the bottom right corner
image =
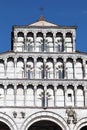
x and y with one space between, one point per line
80 124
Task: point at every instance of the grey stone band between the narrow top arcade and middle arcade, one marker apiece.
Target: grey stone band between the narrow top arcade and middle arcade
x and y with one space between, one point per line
44 55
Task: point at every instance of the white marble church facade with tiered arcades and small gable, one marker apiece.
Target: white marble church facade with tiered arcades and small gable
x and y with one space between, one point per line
43 79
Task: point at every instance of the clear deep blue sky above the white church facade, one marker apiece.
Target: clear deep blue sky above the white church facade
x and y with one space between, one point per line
60 12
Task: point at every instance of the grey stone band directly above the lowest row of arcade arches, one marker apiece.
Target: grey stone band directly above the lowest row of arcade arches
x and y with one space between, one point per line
53 81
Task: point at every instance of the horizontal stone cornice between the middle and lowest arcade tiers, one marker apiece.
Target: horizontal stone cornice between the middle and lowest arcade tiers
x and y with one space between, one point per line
44 82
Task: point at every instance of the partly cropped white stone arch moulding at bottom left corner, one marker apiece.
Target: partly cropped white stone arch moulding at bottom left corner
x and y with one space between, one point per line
8 121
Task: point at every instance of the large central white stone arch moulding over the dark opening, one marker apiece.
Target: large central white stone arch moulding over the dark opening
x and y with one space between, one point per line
46 116
